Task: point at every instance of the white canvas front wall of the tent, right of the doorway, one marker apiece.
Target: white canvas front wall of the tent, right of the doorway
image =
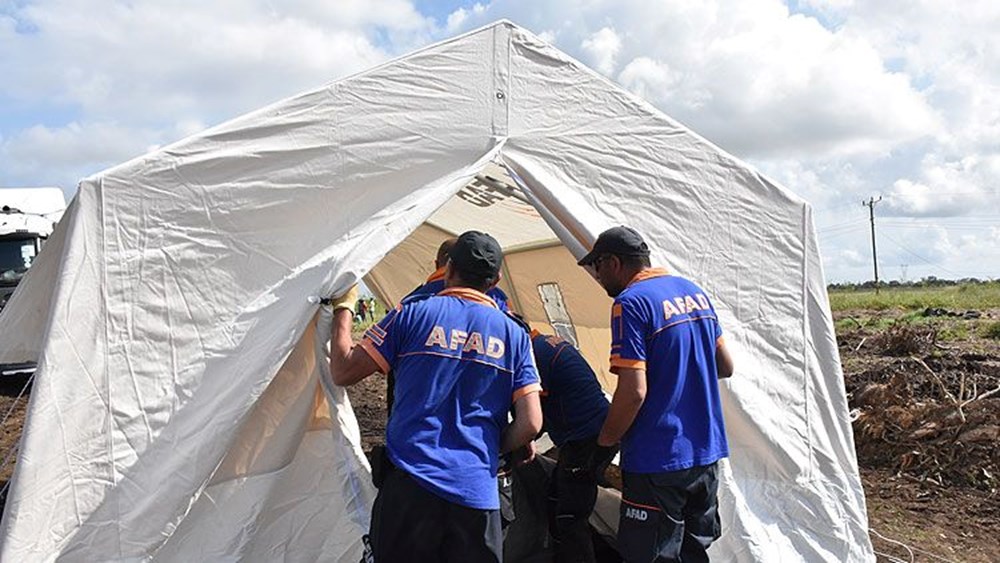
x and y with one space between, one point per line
595 156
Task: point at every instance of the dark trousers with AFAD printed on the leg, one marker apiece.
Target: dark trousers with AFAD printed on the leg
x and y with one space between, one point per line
672 516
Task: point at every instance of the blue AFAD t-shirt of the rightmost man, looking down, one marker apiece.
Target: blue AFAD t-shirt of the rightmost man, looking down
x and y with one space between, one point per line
666 325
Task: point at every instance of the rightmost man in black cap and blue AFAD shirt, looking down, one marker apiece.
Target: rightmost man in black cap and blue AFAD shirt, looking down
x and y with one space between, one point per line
668 352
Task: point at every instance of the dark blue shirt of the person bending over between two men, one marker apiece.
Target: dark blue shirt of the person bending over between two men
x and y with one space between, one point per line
573 405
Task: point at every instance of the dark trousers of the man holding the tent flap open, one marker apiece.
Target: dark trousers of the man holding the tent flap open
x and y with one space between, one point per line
412 524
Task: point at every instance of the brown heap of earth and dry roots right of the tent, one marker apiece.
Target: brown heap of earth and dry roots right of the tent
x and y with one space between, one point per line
929 412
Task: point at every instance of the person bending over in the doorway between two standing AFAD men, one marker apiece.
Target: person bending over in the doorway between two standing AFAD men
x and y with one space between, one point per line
574 408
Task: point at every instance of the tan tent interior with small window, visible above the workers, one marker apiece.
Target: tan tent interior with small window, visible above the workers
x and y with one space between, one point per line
540 275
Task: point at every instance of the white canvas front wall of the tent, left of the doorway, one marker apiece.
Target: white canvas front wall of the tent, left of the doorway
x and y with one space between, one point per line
185 281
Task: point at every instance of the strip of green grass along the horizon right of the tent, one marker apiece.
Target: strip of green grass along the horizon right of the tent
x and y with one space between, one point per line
954 298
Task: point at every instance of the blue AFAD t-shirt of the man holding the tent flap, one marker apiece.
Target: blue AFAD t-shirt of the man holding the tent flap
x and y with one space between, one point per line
459 364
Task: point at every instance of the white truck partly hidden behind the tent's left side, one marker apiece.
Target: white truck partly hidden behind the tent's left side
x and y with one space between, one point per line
27 218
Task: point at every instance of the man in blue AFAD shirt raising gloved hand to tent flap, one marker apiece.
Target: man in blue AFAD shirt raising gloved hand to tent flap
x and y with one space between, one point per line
459 364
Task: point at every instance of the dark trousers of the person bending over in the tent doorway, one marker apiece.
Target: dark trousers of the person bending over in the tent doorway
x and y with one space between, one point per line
572 494
